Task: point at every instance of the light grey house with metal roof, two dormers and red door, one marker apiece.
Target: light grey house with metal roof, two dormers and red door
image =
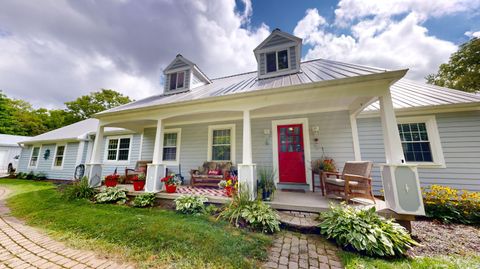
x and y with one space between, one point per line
346 111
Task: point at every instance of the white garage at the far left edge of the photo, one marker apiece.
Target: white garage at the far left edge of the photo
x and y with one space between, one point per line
9 152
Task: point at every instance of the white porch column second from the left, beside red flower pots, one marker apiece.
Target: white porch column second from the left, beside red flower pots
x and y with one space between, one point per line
156 170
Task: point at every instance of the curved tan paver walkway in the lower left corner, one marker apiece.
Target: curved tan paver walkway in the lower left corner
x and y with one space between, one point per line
22 246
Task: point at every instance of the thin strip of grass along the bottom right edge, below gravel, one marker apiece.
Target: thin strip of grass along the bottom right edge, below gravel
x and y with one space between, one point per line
352 260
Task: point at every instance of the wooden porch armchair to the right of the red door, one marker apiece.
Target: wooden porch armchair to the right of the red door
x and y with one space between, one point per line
354 181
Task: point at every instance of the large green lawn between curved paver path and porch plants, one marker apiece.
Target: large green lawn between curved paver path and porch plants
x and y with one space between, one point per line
149 237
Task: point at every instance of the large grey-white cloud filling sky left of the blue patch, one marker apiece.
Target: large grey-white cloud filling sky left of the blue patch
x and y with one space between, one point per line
63 49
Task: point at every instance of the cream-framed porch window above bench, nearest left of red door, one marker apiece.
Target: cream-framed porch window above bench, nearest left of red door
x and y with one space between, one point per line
221 144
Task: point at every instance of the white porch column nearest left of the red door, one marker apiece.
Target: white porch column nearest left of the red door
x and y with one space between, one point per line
247 172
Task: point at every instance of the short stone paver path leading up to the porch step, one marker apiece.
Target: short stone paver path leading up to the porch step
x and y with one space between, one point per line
293 250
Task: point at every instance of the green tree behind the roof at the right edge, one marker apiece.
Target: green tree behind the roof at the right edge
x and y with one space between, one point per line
462 72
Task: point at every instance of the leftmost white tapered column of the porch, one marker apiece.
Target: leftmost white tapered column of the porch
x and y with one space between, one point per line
95 165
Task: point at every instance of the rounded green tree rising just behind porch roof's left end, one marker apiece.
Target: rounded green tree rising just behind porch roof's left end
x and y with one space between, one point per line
85 106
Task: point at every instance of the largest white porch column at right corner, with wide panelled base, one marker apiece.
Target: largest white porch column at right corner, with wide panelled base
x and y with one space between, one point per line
400 180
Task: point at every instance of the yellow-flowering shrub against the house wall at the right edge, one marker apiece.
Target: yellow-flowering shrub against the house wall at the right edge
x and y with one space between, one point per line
450 205
